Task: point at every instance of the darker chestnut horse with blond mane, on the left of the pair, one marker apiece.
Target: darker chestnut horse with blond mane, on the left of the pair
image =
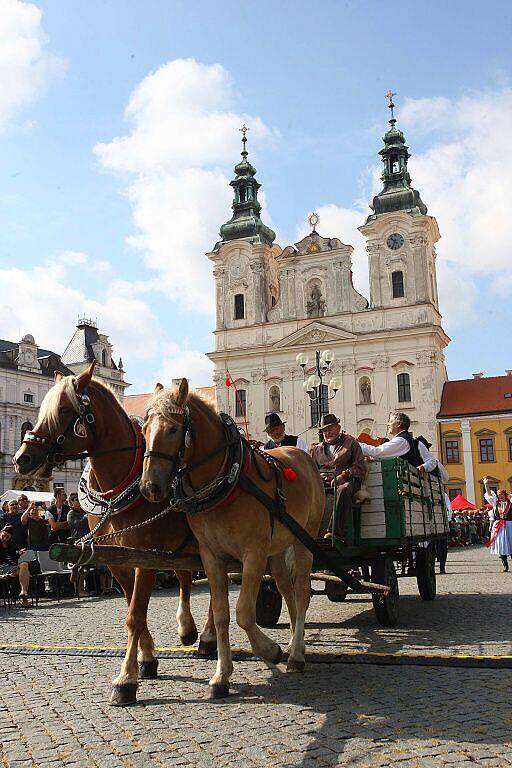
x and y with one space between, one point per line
81 416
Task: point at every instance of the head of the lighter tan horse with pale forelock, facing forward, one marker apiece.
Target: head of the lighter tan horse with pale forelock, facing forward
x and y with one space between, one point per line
167 434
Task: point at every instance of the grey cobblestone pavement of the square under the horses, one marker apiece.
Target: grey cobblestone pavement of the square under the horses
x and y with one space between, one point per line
54 709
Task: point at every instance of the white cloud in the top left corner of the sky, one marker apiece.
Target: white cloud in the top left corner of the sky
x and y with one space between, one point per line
26 66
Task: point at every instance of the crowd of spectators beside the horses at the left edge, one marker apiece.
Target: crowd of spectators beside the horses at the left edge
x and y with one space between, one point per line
27 528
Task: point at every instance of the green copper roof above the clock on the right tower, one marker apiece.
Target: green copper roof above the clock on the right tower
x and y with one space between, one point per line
397 193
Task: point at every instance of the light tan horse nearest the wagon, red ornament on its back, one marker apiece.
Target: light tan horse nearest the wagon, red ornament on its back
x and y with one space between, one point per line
225 487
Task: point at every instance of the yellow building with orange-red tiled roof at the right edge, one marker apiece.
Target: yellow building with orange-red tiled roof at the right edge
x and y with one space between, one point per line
475 434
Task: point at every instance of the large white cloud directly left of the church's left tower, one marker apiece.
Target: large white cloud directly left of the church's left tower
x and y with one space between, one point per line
184 134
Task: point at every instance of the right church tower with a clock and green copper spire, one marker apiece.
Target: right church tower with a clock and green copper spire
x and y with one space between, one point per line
401 236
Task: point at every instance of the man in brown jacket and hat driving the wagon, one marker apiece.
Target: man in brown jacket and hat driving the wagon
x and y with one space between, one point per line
340 453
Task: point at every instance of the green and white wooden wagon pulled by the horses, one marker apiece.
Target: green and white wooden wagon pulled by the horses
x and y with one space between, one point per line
394 533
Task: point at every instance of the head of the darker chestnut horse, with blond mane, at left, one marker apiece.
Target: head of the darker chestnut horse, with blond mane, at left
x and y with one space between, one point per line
65 427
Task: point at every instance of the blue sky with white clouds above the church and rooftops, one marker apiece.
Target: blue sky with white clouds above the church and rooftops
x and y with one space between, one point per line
119 132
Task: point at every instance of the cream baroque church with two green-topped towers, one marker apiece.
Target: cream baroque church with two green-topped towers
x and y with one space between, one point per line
273 303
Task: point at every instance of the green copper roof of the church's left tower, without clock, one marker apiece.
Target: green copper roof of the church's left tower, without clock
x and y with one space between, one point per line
246 221
